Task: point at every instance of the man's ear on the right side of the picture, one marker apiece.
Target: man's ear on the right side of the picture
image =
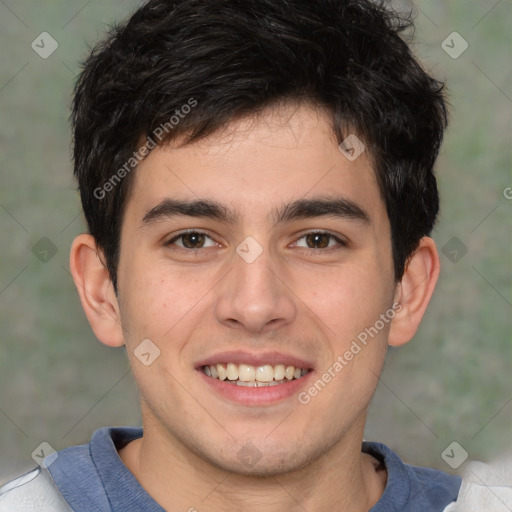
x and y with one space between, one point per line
414 291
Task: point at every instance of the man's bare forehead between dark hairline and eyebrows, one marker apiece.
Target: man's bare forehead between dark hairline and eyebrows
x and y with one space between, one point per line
257 164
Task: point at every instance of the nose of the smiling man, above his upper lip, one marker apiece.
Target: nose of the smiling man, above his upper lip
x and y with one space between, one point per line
255 296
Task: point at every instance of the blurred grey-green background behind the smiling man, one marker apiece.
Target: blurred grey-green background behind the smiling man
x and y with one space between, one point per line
451 383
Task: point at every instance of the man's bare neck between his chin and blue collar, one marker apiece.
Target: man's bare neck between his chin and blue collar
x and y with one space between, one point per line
177 478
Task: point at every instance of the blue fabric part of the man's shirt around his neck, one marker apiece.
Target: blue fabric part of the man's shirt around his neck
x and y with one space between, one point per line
93 478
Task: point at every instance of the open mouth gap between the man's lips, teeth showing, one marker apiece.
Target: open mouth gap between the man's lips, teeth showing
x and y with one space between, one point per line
254 376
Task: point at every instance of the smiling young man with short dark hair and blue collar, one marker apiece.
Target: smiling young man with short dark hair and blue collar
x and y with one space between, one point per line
257 178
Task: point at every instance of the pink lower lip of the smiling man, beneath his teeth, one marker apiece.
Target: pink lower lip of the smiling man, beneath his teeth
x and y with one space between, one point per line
258 395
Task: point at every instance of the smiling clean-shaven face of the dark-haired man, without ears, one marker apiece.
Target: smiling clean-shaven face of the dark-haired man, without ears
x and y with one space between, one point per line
259 249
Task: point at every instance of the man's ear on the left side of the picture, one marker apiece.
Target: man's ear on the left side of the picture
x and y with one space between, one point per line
96 290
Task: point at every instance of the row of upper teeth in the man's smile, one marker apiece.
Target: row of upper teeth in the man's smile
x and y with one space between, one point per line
249 373
